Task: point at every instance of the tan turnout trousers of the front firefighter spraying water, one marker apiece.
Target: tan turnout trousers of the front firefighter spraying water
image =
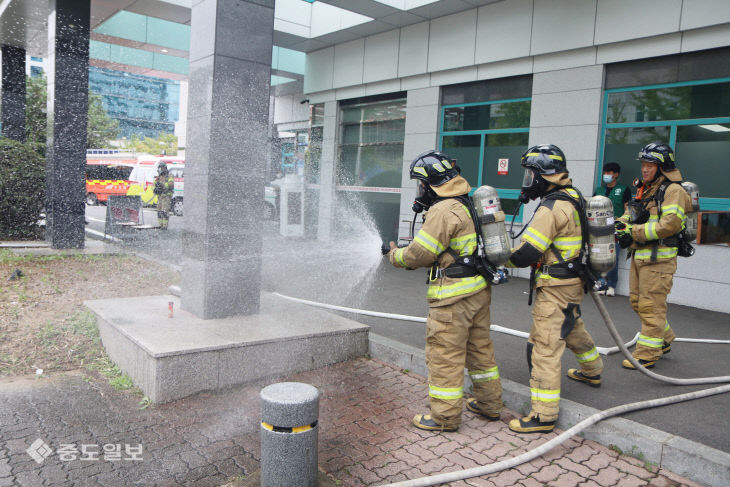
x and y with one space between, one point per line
457 336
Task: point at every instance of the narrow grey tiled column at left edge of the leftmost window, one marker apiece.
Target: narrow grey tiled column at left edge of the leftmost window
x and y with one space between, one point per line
327 173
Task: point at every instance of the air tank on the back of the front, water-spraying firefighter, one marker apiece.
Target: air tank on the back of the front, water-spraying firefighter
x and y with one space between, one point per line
491 221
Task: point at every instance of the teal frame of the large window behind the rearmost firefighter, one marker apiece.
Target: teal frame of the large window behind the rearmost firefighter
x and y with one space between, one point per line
706 204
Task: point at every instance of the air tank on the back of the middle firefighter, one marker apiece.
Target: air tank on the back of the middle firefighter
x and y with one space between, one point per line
601 240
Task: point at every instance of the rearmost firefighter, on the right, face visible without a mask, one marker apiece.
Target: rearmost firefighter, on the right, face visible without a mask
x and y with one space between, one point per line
652 228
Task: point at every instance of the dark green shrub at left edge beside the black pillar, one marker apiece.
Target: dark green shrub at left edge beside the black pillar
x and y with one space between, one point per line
22 190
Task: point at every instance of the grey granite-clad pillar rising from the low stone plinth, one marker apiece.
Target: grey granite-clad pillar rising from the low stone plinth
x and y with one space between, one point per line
228 111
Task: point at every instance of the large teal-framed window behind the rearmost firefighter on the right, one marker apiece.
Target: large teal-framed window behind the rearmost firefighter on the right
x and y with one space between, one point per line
693 117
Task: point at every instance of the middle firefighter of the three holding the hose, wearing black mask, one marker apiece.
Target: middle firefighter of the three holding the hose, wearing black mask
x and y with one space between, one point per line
552 245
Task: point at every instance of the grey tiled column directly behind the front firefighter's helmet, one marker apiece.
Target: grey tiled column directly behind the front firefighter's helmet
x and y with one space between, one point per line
422 119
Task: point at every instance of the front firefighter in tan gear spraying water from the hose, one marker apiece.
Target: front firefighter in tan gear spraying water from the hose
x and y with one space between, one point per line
457 333
